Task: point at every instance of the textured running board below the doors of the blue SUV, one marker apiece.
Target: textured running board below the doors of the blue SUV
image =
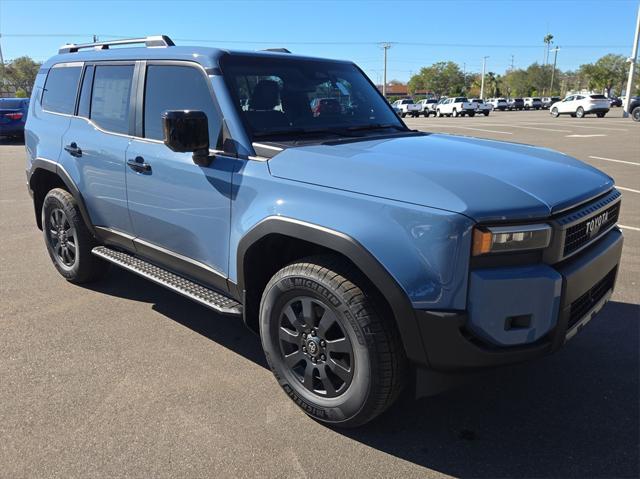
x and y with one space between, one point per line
208 297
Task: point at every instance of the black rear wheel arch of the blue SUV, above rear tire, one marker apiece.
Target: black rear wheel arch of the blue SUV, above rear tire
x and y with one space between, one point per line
46 175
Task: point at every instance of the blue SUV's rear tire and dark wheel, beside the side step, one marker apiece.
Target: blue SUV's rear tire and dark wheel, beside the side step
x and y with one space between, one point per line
68 240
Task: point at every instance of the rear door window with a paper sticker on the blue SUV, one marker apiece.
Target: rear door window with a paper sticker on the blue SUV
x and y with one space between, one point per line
110 97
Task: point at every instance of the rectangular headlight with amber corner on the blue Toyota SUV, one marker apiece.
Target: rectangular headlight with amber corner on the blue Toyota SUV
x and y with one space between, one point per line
498 239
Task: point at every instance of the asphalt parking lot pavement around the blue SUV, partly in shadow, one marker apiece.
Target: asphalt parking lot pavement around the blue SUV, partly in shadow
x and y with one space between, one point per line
124 378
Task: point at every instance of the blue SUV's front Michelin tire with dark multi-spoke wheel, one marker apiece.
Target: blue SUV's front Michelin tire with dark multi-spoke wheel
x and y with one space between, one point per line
326 287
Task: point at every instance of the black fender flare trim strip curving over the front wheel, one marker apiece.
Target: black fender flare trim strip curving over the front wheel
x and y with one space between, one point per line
349 247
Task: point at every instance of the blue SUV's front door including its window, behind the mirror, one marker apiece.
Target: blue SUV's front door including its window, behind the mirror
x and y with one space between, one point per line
179 210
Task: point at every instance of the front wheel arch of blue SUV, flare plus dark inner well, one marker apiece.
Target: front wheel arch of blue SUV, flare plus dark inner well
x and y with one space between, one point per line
306 239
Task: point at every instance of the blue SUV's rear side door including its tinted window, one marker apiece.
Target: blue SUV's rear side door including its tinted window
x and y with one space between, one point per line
94 146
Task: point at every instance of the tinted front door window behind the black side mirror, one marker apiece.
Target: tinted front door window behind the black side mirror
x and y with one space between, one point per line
161 94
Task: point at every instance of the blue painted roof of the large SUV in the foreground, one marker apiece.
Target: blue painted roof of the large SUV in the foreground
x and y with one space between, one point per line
208 57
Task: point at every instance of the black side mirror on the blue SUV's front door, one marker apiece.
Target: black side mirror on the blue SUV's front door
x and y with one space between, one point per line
187 131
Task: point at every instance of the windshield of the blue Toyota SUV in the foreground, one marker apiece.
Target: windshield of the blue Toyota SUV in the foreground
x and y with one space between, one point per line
277 96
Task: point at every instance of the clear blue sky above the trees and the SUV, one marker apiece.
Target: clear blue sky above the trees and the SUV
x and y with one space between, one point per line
420 32
